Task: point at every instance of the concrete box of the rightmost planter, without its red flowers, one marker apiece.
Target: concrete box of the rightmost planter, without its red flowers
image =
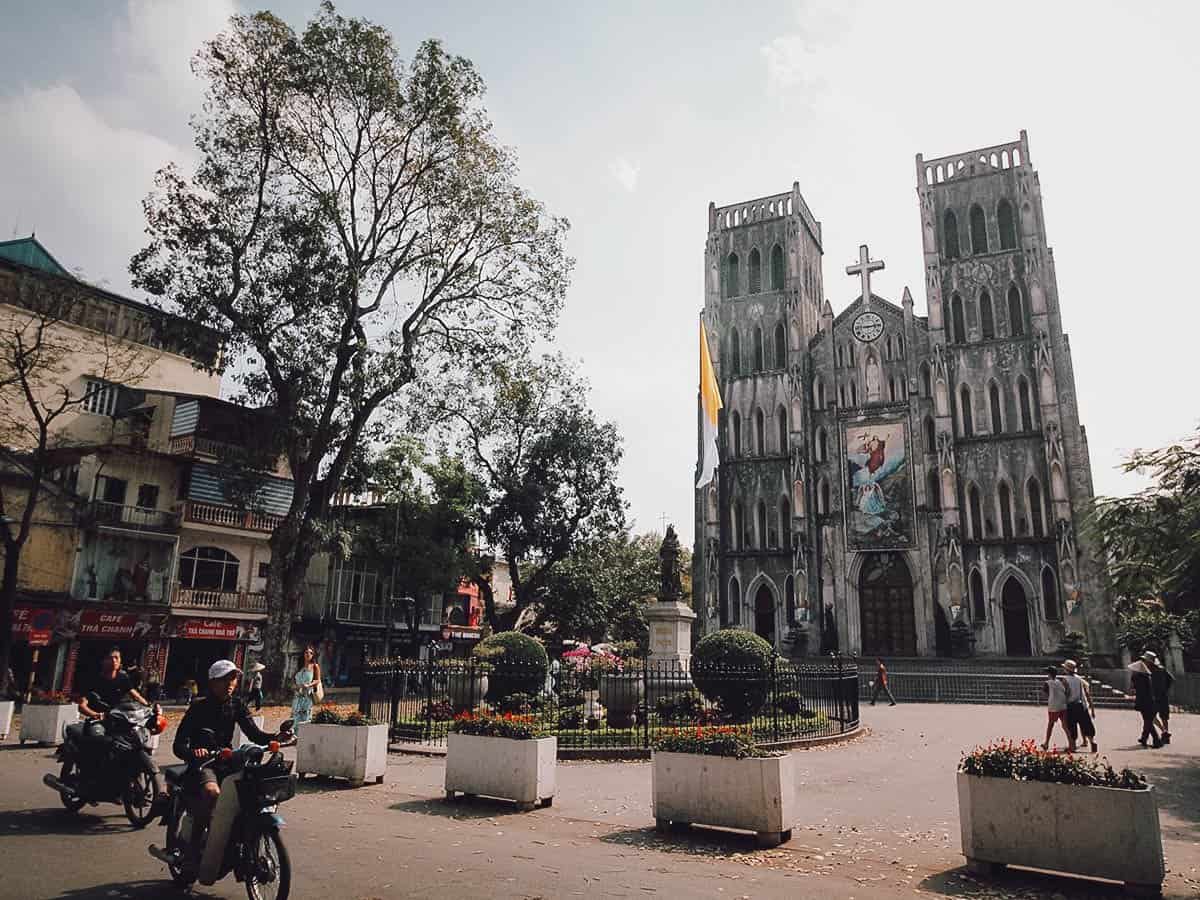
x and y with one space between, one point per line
1100 832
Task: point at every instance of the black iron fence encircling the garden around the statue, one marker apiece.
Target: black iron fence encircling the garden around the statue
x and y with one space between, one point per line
622 710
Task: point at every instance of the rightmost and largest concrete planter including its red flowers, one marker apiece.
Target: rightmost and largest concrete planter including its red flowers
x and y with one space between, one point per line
1022 806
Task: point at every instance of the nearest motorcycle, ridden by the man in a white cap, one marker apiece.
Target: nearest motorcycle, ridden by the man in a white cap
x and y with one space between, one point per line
244 833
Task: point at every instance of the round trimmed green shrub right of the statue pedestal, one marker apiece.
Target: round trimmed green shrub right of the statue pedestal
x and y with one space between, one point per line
730 668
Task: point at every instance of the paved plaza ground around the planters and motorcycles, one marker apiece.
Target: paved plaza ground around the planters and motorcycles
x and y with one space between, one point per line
879 820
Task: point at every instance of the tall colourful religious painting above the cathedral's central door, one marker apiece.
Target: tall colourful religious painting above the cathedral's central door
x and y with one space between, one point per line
880 512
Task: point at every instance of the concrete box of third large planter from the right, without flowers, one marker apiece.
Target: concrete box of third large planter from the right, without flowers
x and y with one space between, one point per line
512 770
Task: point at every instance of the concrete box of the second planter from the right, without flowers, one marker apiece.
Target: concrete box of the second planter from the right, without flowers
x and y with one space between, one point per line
758 795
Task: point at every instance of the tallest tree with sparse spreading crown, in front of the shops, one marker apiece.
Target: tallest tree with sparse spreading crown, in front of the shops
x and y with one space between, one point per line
352 223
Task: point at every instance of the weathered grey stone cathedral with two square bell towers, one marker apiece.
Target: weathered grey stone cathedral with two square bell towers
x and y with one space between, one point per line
893 484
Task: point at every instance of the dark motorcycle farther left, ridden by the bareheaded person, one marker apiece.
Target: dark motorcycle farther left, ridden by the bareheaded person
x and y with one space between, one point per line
115 766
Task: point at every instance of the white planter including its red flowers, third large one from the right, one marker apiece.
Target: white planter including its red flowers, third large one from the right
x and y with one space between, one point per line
502 757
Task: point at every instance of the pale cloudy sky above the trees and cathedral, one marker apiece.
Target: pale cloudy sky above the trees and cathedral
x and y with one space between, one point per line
631 118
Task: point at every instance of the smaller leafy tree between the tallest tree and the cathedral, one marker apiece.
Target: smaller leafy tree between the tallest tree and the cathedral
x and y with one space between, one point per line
549 470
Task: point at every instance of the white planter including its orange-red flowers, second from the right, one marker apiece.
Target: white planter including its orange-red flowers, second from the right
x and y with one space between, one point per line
716 776
